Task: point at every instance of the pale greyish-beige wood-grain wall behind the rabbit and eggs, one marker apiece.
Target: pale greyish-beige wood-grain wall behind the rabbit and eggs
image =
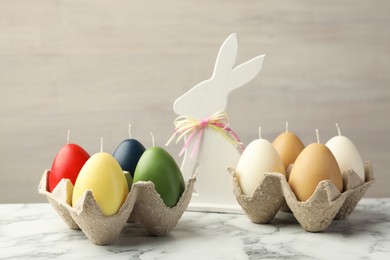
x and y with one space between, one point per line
95 66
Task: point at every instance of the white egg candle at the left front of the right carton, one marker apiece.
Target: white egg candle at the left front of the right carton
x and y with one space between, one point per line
258 158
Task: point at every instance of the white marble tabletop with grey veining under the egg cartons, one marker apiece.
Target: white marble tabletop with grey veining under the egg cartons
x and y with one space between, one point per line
36 231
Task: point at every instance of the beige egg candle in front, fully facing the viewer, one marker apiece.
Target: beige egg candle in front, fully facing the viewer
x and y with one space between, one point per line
313 165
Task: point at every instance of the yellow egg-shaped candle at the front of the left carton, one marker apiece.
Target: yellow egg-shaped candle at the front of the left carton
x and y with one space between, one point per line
103 175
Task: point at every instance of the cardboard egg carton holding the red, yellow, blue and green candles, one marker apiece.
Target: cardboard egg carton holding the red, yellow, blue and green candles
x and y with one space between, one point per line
143 203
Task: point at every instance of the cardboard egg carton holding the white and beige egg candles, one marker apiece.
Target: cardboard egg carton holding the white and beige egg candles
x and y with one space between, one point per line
315 214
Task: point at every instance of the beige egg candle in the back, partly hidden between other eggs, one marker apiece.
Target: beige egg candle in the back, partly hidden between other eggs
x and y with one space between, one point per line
289 146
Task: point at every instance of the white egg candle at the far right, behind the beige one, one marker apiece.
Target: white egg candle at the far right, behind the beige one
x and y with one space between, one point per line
346 154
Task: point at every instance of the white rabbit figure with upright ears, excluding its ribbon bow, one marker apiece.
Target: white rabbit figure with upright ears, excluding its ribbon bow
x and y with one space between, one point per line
215 153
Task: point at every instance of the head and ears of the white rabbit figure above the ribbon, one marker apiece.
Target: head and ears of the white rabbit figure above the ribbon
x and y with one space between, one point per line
211 95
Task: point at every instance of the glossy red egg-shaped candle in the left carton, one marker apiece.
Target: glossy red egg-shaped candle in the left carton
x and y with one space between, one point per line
67 164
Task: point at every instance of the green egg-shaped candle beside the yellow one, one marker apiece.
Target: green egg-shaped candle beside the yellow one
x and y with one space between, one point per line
158 166
